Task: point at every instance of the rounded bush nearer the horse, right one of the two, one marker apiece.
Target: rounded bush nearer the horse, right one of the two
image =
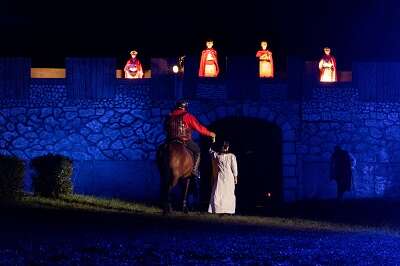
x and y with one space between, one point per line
53 175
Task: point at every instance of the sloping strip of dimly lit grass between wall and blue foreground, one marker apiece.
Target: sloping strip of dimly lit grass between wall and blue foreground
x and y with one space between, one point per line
296 217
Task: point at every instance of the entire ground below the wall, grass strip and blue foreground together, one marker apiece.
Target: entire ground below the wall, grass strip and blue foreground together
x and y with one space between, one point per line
84 230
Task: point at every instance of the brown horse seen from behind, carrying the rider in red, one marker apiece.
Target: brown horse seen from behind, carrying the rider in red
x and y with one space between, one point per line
175 162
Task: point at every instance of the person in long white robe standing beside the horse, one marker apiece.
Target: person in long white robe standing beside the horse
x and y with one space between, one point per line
225 173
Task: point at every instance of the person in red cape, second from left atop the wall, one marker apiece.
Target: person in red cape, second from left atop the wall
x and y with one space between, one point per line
209 62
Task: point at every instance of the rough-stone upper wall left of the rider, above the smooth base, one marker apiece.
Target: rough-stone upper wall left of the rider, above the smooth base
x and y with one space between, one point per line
124 128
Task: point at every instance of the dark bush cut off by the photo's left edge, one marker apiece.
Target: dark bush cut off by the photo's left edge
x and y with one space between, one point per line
12 171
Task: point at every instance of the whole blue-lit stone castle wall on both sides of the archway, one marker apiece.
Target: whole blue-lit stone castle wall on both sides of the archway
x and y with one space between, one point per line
113 141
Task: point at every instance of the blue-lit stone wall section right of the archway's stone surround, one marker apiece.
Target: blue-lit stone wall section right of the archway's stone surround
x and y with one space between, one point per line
370 132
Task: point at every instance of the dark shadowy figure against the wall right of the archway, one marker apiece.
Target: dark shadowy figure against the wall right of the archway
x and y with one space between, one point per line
341 170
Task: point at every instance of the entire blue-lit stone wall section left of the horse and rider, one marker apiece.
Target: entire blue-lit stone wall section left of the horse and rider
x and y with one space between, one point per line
112 141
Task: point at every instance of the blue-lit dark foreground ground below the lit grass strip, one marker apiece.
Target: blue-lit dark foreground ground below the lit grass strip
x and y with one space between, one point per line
47 237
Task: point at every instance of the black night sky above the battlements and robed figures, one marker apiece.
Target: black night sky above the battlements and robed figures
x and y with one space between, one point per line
49 31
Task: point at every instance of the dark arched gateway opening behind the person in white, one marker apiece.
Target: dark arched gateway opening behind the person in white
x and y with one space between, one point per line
257 145
